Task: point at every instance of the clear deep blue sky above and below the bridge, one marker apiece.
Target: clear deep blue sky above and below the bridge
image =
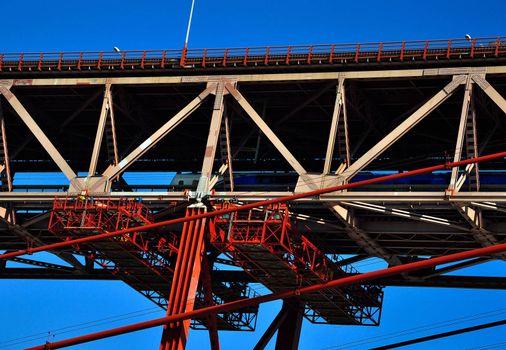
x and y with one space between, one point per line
30 307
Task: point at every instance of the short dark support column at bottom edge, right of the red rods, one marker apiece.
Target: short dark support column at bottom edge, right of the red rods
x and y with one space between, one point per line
289 330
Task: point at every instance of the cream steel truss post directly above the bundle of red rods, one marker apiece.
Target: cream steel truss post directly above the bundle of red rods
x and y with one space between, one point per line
212 140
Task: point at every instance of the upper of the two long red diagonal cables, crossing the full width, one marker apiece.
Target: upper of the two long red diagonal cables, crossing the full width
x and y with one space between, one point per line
445 166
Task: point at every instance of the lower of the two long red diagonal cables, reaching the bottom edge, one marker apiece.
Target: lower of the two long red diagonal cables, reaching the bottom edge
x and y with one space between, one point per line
342 282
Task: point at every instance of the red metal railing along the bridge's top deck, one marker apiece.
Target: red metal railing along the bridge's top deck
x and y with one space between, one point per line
398 51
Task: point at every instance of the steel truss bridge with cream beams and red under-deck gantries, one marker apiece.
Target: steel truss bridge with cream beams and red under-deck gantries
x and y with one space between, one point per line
238 126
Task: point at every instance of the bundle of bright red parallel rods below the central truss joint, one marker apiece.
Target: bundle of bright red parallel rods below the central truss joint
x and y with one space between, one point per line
185 281
